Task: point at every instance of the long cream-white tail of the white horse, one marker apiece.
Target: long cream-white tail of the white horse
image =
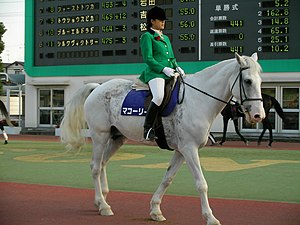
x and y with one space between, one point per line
74 120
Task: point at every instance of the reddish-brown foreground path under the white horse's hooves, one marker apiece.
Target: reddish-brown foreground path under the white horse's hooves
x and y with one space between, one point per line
30 204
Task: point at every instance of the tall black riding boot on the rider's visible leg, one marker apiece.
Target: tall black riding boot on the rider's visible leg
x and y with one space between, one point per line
152 112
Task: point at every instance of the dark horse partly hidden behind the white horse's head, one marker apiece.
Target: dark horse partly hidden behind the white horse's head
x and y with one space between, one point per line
234 112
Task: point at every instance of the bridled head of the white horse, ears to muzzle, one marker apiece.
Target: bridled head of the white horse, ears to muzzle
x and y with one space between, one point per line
246 87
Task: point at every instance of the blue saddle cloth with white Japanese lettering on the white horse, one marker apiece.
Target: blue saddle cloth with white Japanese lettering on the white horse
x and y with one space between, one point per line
133 104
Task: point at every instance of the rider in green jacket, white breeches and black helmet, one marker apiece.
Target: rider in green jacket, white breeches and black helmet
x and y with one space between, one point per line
161 64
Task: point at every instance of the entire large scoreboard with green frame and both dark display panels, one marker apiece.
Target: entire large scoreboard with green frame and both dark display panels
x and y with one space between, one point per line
92 37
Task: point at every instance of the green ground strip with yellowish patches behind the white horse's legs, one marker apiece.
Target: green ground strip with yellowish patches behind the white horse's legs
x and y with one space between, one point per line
230 173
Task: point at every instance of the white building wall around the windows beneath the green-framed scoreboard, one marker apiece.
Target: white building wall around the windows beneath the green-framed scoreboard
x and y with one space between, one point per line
72 84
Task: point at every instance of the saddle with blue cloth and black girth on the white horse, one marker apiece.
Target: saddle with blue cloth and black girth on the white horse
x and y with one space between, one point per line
137 101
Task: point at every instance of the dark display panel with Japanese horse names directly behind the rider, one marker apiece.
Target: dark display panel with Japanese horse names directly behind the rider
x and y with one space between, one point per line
105 32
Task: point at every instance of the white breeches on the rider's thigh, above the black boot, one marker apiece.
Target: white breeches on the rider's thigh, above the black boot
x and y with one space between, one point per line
157 87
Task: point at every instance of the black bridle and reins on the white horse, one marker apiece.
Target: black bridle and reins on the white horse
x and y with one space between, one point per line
242 90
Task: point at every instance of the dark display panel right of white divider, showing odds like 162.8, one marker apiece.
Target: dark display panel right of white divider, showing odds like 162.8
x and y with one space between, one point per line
268 27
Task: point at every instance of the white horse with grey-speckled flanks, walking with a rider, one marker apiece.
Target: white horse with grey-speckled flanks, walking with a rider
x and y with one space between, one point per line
186 129
